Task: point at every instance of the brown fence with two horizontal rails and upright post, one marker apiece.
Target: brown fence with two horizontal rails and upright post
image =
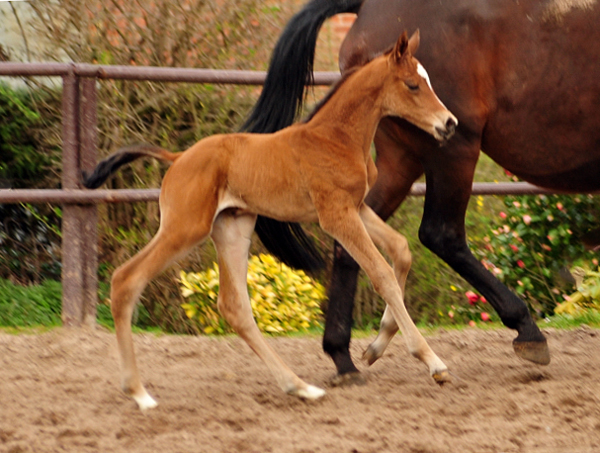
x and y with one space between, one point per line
80 138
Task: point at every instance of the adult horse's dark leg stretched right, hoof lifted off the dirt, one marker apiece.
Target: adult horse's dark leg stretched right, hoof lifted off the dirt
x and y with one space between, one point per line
443 232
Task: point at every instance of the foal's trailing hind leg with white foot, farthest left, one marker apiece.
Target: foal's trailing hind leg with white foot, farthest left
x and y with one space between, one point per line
173 240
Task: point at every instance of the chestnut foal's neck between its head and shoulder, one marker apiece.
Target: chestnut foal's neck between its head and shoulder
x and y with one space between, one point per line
354 110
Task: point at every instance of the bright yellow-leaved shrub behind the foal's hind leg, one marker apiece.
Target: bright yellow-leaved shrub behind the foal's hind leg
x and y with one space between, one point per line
283 300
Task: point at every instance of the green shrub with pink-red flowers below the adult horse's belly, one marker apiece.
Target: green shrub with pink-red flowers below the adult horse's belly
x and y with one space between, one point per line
538 236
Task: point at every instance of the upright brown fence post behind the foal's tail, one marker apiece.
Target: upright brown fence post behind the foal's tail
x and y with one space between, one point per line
79 227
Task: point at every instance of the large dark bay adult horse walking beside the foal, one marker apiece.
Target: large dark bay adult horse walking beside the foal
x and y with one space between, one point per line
523 78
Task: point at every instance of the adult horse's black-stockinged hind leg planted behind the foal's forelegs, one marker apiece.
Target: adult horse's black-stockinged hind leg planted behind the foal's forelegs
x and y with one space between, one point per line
397 172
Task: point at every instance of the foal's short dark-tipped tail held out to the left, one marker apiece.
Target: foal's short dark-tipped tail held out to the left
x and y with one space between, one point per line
121 157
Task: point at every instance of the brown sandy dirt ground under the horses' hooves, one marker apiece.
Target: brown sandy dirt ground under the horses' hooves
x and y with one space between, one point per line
59 392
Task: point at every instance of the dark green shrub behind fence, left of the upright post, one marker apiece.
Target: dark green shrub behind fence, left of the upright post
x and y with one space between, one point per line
29 243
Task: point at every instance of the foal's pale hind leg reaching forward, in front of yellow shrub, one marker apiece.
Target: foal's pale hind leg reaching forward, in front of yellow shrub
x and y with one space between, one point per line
231 235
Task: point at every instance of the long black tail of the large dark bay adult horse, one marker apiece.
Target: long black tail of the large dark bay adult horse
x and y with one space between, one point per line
290 70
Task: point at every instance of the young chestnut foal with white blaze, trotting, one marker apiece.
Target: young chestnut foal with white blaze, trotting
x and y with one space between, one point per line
318 170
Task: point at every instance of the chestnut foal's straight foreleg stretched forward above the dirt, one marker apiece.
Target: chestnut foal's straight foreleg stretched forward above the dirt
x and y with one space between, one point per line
351 231
